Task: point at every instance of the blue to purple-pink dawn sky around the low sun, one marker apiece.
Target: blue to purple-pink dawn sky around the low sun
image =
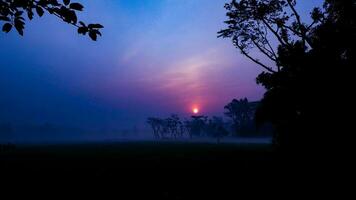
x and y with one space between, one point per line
156 57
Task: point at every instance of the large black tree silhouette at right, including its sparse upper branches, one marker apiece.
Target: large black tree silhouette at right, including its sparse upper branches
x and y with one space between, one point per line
306 58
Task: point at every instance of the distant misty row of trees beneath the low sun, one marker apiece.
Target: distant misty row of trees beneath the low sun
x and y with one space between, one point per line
240 122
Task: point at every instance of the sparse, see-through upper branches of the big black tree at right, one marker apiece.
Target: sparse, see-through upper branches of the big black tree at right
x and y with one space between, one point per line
252 22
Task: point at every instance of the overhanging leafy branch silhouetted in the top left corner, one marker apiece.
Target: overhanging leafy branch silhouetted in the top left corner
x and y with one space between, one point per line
13 12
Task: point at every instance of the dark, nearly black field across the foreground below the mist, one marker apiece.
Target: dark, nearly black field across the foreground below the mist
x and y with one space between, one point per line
156 170
